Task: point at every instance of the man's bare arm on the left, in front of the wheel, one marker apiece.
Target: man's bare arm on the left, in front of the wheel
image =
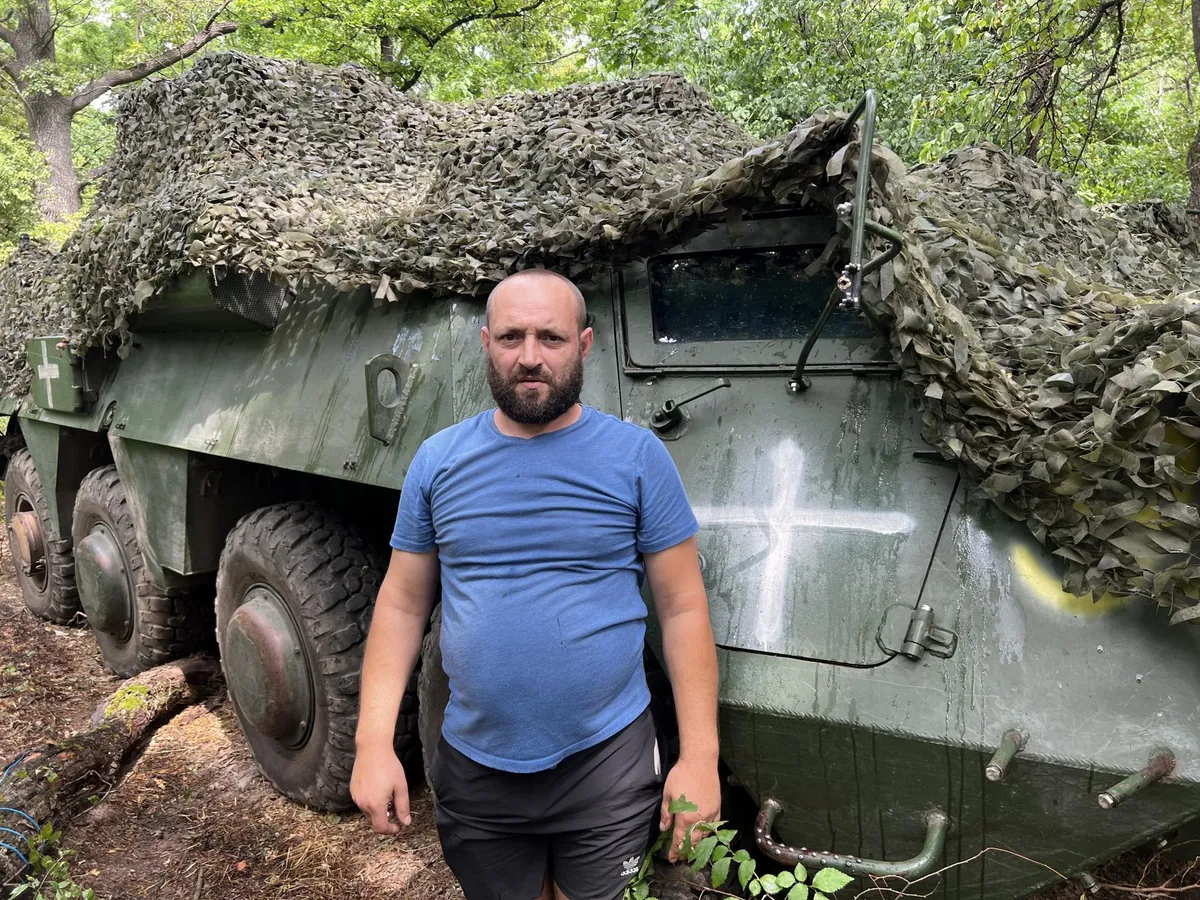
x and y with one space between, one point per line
394 645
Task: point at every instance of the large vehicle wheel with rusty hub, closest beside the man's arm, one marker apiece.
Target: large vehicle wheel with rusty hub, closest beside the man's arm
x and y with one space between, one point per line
296 591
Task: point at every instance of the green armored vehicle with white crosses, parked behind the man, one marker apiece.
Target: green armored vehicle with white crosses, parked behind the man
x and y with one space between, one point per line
905 687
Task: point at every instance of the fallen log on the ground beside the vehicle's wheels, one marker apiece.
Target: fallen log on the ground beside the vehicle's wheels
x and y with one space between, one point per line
52 784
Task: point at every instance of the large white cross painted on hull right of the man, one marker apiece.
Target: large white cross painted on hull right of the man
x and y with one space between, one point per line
782 520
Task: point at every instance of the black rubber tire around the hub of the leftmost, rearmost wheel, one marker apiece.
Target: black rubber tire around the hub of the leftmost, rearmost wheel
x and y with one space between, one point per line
50 592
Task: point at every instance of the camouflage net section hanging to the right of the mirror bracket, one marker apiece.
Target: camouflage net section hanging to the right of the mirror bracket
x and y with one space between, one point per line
1058 353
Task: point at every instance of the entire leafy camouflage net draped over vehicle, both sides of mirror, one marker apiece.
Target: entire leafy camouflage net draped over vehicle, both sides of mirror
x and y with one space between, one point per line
1055 347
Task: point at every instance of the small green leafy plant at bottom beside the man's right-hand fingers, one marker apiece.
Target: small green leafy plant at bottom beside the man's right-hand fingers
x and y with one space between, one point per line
716 850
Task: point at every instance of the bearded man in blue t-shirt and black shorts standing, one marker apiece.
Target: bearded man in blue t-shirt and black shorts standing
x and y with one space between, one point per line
539 518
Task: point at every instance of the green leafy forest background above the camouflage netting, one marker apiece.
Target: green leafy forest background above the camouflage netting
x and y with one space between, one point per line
1105 92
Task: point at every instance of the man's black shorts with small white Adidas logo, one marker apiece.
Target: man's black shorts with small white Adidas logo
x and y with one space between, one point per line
589 821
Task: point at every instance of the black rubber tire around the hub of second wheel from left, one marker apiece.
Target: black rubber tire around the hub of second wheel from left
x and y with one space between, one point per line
165 625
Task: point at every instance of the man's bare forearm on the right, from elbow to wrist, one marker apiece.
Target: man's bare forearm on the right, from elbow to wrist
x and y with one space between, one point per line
692 663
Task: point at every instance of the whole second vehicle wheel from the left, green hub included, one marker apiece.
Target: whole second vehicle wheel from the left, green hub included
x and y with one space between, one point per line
137 625
